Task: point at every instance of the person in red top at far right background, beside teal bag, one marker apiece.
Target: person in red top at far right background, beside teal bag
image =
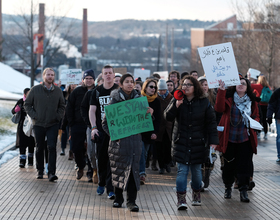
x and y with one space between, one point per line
262 82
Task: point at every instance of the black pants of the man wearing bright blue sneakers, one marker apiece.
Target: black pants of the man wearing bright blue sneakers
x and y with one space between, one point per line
103 164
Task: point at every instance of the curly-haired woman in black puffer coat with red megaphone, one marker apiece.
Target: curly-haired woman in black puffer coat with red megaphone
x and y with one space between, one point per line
194 123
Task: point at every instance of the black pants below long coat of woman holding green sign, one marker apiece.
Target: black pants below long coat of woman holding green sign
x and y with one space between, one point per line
131 191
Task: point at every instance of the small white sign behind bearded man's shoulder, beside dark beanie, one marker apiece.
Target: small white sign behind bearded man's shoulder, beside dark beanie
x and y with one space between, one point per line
71 76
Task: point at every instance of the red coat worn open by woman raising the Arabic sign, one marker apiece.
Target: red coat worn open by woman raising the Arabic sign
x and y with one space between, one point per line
224 105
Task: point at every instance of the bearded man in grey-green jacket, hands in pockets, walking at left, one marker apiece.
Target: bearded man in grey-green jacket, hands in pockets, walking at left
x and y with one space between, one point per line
45 105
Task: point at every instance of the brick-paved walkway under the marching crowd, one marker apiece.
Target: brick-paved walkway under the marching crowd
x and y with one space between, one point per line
22 196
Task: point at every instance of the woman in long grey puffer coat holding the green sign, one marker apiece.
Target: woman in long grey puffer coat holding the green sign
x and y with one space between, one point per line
124 154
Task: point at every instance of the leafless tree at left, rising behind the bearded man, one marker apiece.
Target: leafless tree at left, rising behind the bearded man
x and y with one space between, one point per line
20 40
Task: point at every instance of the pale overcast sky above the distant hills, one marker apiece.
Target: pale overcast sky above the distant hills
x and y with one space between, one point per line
102 10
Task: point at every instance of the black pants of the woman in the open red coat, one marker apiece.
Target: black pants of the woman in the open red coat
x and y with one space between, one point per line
238 162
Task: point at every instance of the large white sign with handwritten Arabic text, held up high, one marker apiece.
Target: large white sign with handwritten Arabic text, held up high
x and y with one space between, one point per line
218 62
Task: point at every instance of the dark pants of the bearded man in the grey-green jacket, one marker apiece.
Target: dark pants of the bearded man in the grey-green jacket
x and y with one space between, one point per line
51 134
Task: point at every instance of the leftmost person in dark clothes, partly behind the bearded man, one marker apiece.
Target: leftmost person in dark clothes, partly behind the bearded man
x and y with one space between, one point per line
22 140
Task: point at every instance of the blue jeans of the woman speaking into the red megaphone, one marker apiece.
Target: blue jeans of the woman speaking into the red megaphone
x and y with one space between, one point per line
182 175
